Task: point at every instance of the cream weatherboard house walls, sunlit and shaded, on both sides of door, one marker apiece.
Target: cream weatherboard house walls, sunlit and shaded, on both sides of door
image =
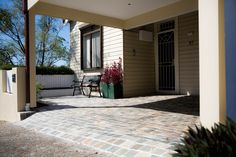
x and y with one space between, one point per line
139 59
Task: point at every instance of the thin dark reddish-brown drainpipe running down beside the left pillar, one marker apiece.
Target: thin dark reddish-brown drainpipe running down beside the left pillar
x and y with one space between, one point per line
27 57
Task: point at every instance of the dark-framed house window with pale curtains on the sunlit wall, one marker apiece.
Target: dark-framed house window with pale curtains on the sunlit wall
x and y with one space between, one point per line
91 47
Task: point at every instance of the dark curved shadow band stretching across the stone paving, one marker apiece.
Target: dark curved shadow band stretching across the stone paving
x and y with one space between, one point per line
185 105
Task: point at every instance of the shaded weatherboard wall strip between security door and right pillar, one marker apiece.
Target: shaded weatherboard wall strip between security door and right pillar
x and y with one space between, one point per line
189 53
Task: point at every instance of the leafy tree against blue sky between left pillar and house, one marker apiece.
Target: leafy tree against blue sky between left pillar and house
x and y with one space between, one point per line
49 45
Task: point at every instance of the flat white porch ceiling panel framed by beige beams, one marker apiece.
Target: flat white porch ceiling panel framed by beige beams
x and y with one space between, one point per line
119 9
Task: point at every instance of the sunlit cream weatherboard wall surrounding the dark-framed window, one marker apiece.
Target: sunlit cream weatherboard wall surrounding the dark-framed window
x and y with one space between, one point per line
112 47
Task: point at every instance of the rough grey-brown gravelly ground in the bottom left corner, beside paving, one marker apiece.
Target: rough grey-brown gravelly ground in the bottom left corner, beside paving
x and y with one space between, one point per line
16 141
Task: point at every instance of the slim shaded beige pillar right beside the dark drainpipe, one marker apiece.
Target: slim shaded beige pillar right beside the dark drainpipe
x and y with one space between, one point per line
32 57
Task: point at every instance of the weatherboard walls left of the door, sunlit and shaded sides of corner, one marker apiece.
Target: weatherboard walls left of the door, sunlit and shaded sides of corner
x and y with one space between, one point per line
118 43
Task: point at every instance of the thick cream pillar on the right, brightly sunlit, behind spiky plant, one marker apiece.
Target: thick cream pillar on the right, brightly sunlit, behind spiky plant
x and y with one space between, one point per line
212 62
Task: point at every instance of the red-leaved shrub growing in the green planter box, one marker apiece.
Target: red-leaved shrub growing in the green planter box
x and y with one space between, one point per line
112 74
